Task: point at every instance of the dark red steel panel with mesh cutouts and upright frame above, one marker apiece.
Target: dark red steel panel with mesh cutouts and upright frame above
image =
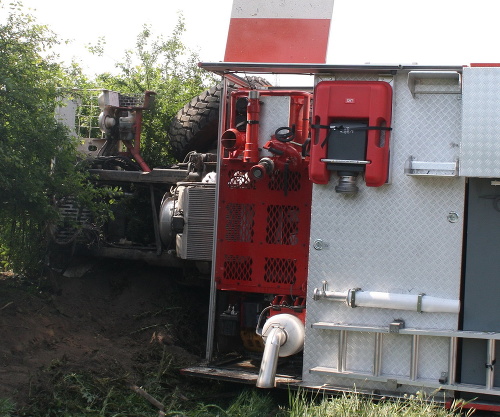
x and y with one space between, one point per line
263 226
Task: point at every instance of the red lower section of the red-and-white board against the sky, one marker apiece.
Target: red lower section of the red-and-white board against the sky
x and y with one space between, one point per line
277 40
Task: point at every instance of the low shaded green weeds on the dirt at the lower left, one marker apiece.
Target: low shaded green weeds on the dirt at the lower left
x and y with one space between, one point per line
86 393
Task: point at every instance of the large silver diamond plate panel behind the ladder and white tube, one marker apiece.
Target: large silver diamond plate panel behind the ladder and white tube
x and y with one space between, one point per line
395 238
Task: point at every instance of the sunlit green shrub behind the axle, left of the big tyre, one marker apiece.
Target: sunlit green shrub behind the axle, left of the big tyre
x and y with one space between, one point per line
166 67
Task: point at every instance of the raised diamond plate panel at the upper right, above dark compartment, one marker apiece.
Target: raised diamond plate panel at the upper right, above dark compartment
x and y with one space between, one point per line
480 148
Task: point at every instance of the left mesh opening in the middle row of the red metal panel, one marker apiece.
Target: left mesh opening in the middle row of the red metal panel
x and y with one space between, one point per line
240 222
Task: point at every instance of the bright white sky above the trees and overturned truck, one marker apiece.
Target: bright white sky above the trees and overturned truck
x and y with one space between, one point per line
433 32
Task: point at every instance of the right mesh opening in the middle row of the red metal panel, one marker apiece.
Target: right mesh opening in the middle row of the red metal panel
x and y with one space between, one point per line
282 225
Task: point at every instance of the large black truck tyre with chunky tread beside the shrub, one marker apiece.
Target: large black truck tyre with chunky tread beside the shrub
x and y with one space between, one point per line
195 126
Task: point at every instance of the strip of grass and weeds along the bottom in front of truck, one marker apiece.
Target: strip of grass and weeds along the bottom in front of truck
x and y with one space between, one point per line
83 395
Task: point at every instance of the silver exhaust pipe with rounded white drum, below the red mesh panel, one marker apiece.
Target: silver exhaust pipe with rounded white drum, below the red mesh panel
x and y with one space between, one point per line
283 335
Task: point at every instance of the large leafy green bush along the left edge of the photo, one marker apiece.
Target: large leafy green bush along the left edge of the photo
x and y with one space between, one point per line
37 155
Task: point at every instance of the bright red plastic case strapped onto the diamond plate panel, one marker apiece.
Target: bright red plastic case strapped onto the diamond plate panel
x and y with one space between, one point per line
369 101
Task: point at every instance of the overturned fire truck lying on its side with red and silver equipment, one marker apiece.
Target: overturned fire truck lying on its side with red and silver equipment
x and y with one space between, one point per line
351 229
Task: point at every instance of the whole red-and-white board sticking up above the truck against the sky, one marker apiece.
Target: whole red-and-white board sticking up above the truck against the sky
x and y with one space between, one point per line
294 31
